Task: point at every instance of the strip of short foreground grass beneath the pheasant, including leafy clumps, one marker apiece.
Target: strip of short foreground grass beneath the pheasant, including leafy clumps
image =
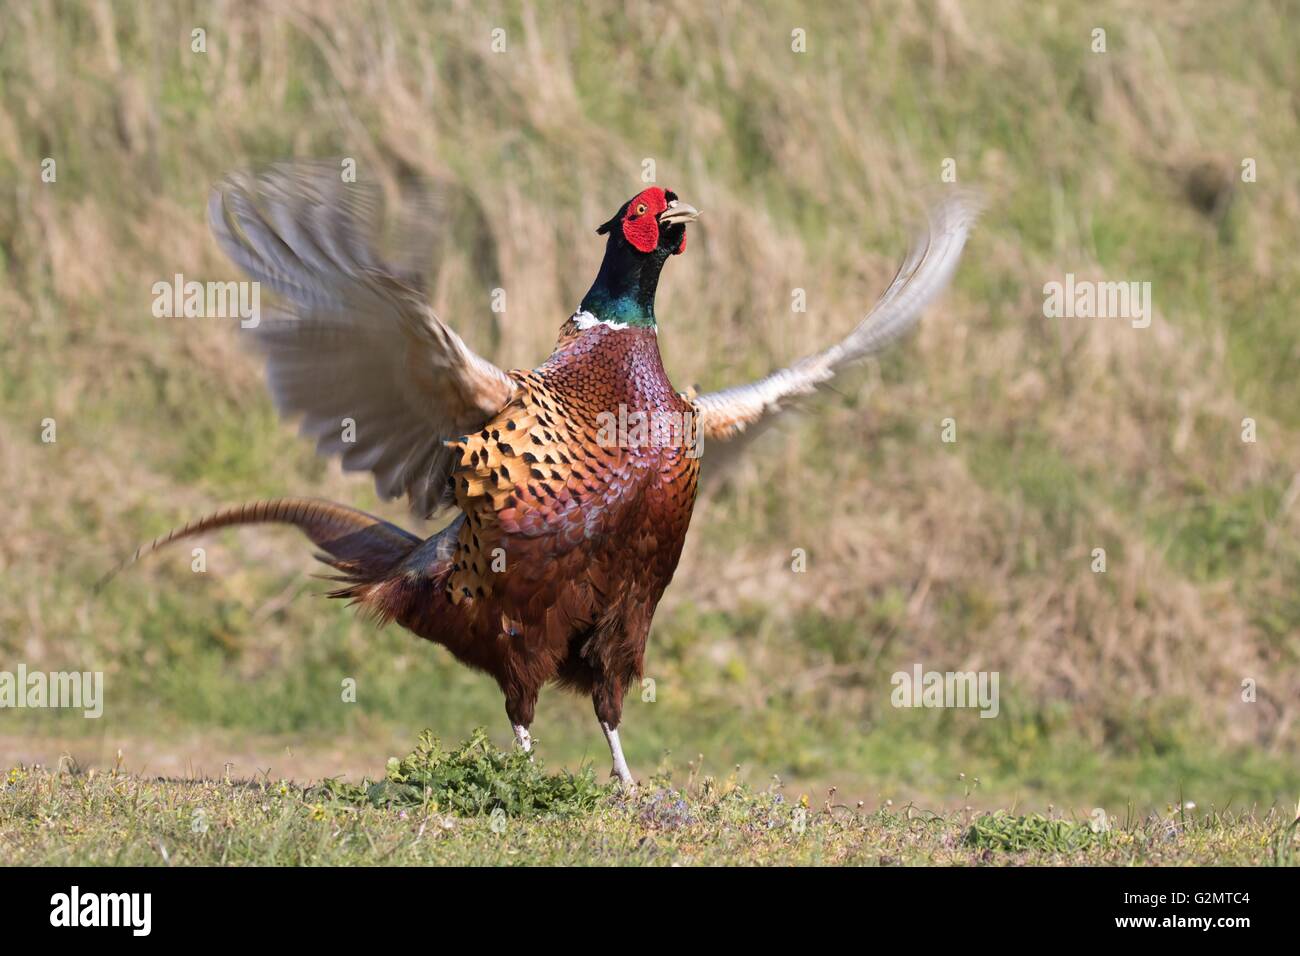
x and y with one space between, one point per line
479 806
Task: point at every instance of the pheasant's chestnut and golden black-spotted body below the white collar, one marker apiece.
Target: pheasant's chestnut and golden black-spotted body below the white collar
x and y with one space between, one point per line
569 538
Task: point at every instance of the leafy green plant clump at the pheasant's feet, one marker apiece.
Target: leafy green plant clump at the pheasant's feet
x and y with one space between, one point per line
471 781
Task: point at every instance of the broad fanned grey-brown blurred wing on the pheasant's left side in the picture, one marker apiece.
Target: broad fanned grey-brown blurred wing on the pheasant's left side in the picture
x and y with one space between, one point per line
356 349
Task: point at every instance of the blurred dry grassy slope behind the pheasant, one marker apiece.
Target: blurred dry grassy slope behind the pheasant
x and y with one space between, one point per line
812 167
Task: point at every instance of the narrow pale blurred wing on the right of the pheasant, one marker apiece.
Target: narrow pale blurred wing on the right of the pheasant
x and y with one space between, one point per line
924 275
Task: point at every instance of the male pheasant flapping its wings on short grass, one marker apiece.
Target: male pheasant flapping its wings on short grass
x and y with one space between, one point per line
571 486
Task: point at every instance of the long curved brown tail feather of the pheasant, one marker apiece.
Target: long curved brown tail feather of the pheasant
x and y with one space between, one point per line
361 547
